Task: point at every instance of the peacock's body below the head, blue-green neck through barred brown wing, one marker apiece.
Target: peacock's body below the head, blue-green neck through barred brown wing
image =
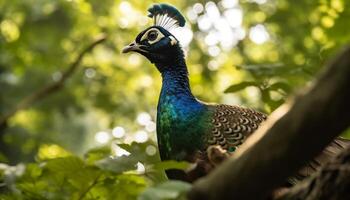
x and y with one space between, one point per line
186 127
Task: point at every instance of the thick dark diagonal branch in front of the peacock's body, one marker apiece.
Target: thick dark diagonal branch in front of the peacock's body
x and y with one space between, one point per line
293 135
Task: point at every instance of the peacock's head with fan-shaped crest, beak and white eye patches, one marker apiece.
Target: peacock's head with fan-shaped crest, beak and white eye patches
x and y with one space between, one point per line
156 43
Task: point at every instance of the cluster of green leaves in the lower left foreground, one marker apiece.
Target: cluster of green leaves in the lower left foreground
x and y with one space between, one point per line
97 175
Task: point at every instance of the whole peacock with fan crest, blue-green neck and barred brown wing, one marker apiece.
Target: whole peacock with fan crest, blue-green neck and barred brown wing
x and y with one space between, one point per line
187 128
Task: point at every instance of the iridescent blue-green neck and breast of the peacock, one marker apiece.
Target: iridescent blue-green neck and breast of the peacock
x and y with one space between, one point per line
177 111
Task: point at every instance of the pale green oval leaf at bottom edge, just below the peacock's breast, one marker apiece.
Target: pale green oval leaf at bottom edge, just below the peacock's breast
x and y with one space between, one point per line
166 190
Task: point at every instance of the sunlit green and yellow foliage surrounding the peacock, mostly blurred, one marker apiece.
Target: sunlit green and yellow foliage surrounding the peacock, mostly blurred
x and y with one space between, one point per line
250 52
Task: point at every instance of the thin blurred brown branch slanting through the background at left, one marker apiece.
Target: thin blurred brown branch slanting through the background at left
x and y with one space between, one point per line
52 87
